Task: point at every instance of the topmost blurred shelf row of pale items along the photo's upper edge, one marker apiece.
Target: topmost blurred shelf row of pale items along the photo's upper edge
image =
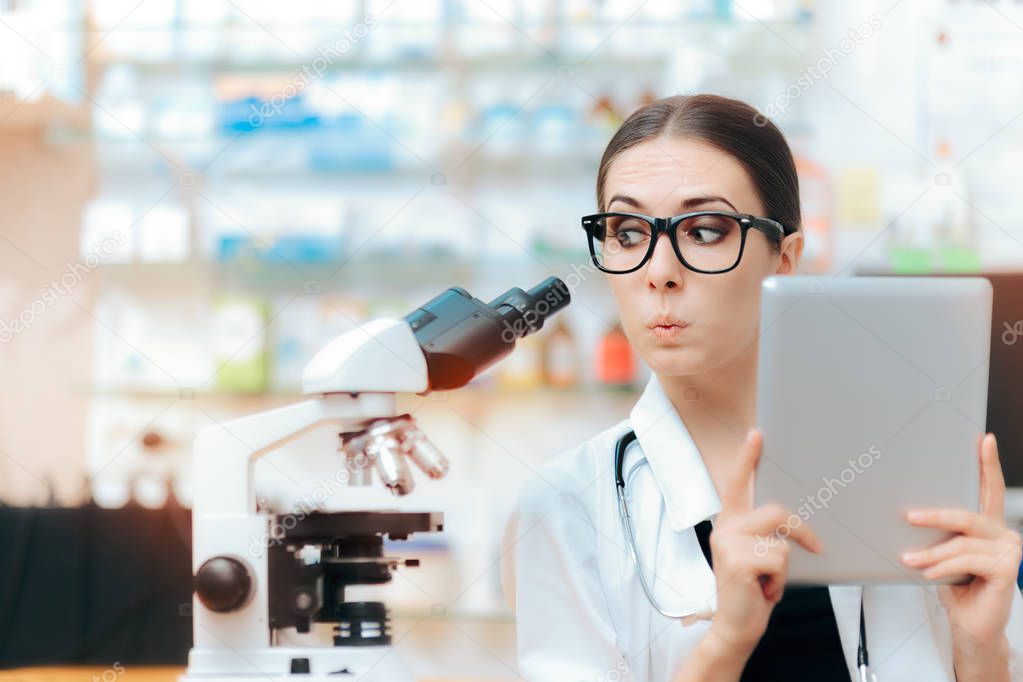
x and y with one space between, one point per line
465 31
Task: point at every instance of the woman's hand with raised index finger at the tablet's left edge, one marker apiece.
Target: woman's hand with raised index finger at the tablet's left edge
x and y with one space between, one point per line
751 555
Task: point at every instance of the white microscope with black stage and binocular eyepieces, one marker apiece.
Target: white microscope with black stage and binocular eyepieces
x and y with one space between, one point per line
244 600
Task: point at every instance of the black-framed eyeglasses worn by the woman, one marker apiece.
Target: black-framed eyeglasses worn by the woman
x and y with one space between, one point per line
706 242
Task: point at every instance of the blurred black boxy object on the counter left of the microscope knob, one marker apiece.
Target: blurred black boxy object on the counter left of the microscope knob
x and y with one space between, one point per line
92 586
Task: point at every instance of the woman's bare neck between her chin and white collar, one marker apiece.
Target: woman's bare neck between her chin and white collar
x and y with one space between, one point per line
719 407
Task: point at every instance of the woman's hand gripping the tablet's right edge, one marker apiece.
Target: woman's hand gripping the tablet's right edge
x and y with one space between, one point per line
986 549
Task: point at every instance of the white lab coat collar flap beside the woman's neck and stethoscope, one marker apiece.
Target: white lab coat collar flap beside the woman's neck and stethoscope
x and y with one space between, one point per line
678 466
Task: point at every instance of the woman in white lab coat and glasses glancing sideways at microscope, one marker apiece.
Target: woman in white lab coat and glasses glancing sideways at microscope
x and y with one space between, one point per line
582 610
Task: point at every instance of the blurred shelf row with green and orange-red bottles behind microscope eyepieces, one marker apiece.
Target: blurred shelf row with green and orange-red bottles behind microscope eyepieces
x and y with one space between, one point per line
246 347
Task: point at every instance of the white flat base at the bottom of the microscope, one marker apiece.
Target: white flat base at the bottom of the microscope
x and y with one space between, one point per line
355 664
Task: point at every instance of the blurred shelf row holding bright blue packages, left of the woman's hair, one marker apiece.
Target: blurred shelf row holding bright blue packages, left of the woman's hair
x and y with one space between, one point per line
364 124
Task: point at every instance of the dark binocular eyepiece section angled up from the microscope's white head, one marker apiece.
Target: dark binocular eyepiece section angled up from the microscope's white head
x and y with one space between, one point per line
462 336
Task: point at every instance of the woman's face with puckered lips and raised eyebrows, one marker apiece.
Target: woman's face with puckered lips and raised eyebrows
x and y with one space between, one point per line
666 177
